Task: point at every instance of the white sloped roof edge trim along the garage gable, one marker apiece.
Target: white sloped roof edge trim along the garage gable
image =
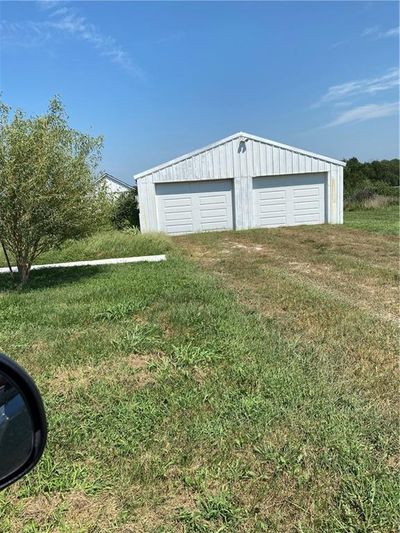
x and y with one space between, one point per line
242 136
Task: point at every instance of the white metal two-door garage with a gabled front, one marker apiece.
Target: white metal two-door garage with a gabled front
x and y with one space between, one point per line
241 182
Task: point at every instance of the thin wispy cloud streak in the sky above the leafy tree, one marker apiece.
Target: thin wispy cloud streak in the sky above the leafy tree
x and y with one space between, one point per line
63 20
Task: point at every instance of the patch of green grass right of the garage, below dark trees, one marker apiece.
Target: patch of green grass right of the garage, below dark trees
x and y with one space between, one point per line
383 220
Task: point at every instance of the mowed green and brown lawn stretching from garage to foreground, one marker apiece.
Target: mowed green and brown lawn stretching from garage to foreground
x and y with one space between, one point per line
249 383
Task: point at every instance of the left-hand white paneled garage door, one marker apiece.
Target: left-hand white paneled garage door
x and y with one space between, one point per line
191 207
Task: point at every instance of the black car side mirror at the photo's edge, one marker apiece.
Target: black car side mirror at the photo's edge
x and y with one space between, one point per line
23 427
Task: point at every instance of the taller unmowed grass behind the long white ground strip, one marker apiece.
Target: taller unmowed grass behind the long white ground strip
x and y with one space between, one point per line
104 245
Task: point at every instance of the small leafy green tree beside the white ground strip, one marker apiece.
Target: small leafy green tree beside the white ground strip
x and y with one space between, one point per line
47 186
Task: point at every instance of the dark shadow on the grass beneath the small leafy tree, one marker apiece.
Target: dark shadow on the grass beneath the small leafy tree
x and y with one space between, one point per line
49 277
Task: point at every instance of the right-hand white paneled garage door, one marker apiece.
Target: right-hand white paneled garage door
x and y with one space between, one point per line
289 200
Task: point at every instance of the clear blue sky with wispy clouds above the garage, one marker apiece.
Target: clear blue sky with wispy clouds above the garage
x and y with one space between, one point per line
161 79
